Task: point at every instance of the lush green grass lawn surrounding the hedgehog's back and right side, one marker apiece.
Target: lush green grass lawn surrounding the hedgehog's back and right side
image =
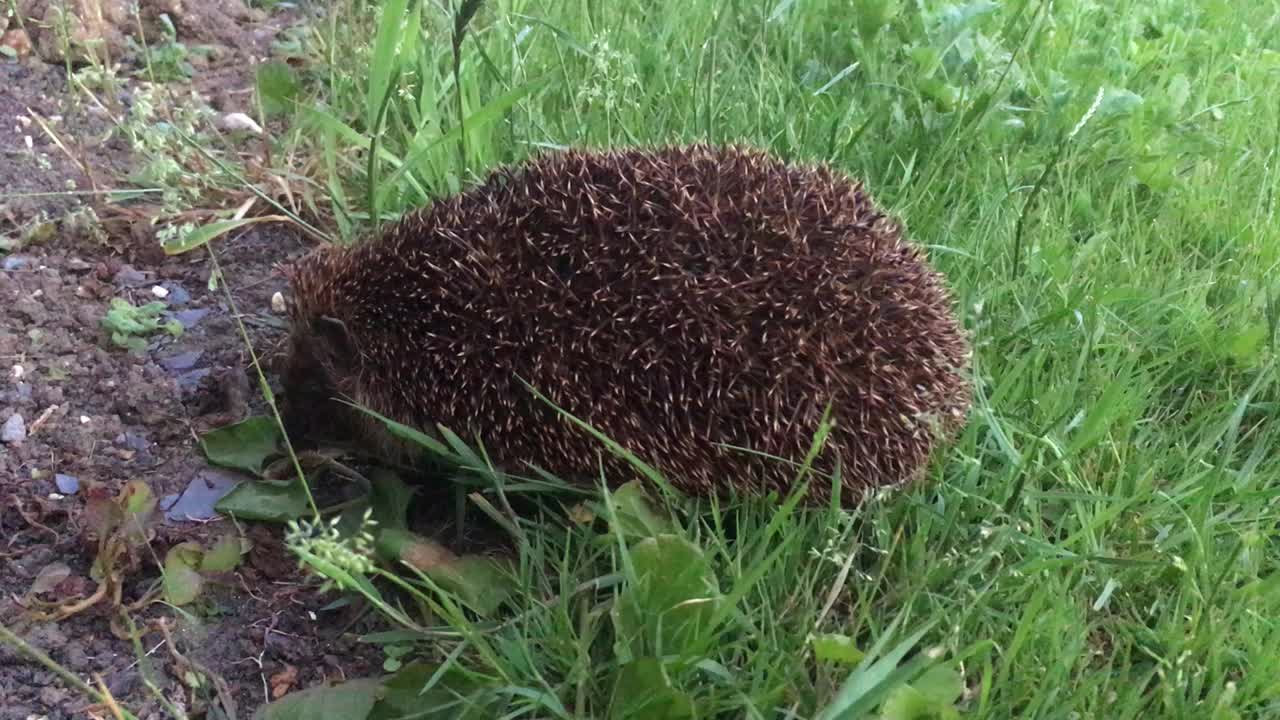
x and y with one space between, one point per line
1098 180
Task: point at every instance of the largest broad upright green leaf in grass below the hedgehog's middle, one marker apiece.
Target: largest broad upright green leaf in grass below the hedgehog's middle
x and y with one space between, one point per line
671 608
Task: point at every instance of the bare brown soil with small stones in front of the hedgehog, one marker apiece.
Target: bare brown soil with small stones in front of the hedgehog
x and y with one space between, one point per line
99 414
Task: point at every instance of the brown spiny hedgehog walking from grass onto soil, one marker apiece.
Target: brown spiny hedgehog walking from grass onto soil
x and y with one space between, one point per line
703 307
